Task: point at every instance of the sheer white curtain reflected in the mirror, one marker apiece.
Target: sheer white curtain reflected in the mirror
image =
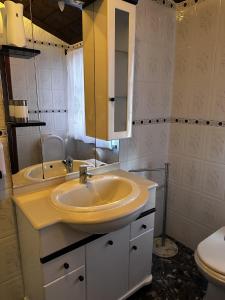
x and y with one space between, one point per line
76 103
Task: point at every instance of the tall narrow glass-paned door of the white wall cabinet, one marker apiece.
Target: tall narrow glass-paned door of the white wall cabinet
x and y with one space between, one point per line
121 40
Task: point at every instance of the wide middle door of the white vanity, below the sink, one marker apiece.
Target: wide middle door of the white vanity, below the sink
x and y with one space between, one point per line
107 261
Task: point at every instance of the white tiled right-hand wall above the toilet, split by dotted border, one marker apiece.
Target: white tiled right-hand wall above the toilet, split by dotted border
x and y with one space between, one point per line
197 153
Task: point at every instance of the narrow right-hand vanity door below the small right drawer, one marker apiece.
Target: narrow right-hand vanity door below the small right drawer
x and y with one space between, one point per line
140 258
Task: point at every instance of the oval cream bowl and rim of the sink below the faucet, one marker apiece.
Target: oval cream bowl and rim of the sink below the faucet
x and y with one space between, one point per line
104 192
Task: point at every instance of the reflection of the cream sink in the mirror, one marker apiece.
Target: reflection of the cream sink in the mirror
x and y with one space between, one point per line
52 169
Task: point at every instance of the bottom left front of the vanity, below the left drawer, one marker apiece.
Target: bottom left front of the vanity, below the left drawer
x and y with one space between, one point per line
68 287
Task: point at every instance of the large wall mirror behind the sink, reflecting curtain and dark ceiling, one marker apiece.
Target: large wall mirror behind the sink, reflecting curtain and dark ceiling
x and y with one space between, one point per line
49 74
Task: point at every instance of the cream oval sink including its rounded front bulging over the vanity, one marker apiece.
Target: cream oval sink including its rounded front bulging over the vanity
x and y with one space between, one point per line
104 204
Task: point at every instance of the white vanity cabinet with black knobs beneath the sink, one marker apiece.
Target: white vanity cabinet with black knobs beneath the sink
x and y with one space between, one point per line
60 263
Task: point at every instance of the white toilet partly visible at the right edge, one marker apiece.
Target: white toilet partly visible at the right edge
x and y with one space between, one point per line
210 259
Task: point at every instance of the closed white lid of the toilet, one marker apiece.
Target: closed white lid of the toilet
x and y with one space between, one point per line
211 251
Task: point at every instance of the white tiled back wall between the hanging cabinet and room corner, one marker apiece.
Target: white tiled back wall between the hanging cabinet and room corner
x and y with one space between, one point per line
155 39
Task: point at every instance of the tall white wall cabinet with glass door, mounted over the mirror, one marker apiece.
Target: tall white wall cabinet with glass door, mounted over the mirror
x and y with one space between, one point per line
109 44
